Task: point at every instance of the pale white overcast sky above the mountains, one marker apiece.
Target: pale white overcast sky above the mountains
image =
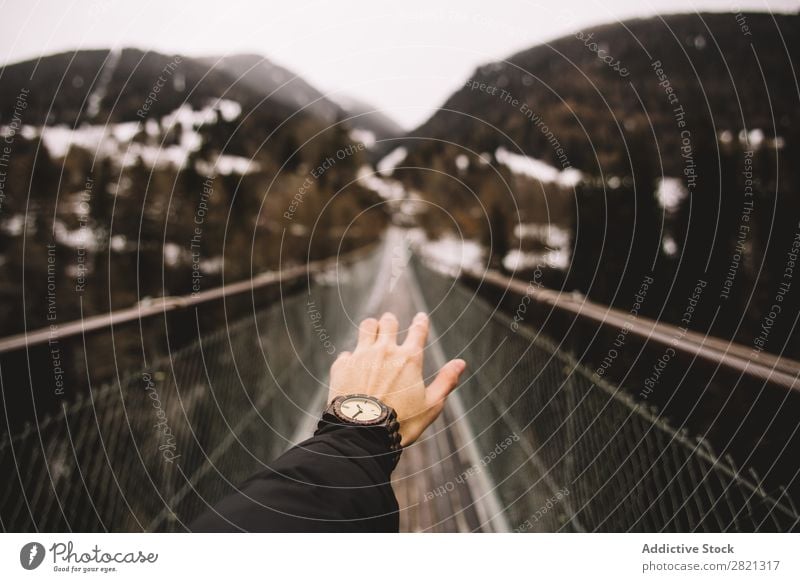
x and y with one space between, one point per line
404 57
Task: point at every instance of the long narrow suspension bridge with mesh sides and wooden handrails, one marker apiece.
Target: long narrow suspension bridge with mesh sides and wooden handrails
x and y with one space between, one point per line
532 440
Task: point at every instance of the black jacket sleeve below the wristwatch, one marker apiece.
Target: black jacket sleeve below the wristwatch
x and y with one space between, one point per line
336 481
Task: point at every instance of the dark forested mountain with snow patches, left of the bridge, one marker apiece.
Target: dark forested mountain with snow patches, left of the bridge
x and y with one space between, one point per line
112 157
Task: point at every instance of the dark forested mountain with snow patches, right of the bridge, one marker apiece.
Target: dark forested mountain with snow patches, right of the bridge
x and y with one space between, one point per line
661 147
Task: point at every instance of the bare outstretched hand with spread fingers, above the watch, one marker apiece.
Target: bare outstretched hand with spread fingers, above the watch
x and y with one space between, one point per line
379 367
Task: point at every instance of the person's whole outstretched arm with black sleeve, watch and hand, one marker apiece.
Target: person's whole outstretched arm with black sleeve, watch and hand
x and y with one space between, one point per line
339 480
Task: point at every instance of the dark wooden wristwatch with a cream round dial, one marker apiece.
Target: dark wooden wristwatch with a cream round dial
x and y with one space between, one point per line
366 411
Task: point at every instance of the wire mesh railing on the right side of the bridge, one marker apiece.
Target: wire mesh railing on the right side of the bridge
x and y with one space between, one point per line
582 454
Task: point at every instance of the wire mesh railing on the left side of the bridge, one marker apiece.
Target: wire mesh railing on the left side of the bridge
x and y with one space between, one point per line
151 450
